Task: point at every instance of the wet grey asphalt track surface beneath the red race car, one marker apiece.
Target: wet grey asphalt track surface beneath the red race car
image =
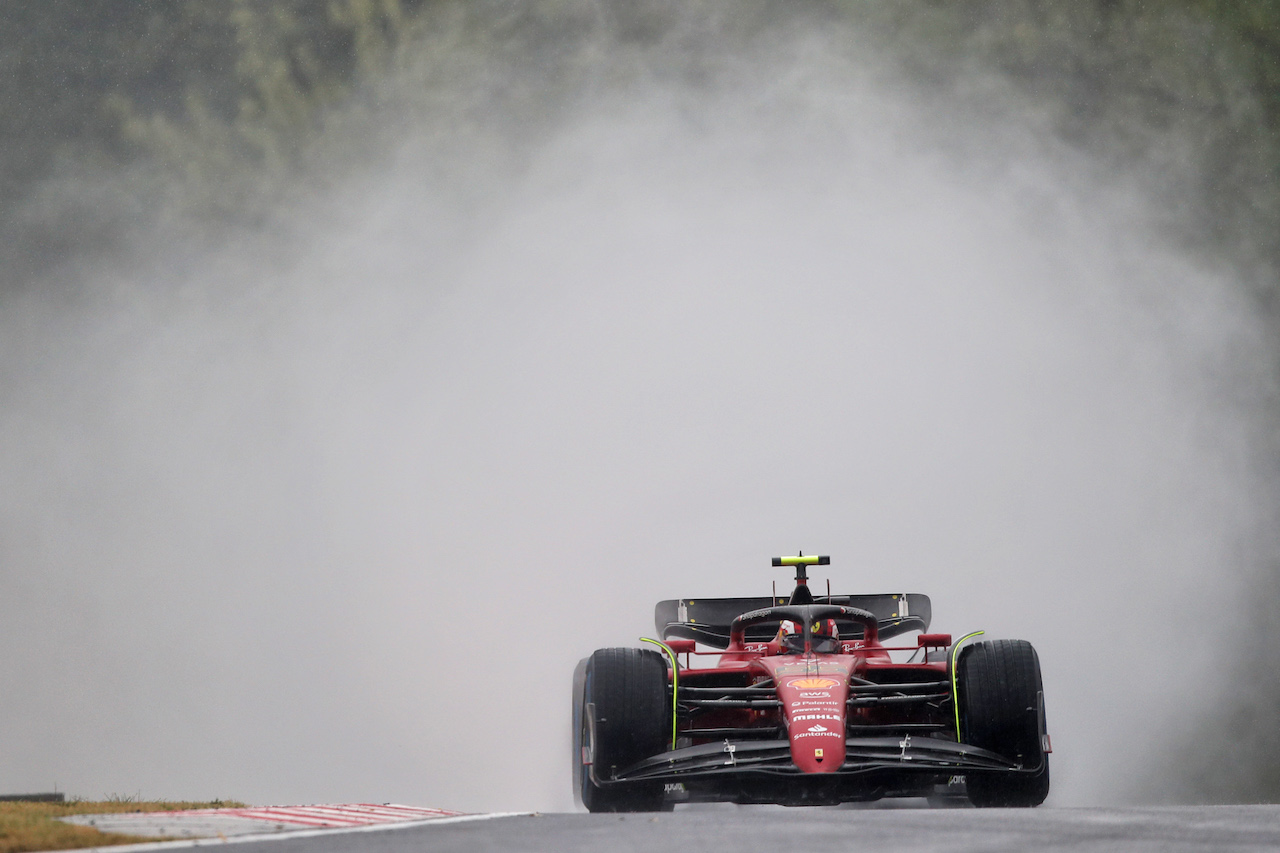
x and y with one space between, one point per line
822 831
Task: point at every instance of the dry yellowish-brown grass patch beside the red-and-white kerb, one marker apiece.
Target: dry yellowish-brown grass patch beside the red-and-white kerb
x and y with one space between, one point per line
35 827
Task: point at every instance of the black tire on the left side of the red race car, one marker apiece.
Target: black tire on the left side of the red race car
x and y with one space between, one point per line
628 688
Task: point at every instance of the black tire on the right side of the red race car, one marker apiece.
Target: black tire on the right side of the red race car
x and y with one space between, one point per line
1002 710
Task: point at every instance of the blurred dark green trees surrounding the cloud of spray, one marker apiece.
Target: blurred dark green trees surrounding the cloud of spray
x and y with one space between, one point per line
209 107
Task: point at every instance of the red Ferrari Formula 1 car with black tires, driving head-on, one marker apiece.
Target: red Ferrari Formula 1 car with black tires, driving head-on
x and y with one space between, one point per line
806 706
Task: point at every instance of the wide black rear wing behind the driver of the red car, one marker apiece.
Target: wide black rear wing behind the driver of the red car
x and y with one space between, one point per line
707 621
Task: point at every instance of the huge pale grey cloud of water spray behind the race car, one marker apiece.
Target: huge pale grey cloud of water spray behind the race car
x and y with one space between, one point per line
330 507
